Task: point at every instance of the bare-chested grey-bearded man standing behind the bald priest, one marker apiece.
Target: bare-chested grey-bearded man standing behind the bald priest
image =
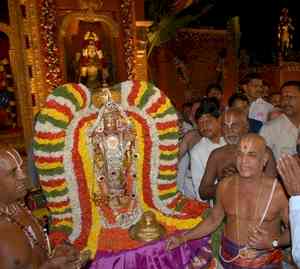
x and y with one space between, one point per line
222 161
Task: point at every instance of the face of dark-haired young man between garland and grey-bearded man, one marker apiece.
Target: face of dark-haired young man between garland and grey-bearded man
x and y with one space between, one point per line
209 126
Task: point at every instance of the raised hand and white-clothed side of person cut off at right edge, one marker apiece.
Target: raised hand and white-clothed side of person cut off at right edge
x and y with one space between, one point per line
289 169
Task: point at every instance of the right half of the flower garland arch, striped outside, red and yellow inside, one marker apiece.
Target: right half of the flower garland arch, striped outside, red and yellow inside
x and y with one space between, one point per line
158 122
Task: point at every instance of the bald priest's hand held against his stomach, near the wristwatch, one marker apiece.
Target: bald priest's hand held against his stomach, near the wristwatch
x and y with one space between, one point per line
260 239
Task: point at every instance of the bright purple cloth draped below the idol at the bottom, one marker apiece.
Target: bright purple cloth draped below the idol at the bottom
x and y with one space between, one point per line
154 256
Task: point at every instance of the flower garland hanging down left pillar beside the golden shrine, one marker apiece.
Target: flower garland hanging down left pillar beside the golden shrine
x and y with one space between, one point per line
50 49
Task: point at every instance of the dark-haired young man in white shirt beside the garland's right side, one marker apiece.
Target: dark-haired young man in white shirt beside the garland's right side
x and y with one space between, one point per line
208 121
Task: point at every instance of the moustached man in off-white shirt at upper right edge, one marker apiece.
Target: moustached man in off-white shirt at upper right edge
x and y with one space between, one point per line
281 133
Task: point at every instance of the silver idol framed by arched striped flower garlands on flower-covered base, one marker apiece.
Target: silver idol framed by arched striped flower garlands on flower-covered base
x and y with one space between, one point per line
107 164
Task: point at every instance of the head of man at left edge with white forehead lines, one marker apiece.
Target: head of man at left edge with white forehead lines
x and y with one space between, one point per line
12 182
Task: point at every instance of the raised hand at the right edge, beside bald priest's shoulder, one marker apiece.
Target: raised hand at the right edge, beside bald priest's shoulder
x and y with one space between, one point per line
289 169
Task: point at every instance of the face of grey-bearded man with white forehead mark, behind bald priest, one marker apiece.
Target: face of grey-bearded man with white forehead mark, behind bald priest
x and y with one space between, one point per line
234 126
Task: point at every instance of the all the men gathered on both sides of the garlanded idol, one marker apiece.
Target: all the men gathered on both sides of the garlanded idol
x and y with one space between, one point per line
241 158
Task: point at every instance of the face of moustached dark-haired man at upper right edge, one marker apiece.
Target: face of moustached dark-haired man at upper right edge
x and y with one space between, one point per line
290 100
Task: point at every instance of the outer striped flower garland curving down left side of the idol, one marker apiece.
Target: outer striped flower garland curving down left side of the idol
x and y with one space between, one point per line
49 144
